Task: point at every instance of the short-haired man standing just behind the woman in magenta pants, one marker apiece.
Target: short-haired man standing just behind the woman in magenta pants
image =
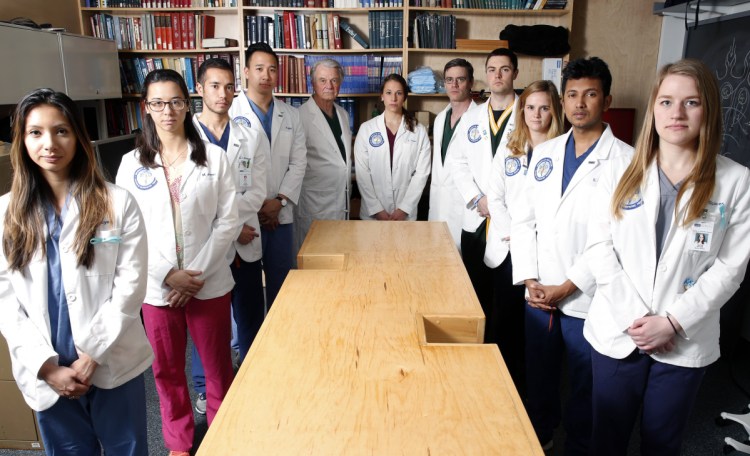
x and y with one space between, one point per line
248 164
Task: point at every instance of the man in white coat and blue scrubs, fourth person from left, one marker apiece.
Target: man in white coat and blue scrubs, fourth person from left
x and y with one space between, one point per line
283 141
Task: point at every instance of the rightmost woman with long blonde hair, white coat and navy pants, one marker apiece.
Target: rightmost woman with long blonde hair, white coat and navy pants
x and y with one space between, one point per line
654 319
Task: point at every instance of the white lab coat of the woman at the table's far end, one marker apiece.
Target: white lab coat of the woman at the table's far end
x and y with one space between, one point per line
381 187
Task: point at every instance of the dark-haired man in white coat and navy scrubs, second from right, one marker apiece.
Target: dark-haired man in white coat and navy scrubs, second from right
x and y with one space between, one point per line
548 237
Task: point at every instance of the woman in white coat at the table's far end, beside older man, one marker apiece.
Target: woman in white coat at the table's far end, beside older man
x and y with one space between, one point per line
392 158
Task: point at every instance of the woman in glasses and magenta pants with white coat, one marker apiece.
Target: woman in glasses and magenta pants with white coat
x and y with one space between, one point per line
186 191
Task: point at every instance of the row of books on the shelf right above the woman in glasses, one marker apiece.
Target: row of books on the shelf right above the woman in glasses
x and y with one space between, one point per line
134 70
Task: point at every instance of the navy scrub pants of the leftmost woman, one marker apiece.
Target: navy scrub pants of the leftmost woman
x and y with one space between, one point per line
113 420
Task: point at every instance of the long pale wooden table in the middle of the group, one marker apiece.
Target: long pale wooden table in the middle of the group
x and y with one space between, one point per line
373 348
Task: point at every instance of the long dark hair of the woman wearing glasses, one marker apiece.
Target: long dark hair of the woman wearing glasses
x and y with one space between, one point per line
148 142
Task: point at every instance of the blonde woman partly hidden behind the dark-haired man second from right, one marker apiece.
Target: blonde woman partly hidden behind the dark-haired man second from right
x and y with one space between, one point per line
539 118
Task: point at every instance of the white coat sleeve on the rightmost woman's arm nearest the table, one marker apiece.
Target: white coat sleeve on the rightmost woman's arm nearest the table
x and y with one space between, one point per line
614 289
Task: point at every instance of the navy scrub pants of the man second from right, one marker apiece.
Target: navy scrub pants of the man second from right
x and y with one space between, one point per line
544 355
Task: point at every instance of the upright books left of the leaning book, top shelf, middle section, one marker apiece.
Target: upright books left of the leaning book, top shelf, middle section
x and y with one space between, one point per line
288 30
